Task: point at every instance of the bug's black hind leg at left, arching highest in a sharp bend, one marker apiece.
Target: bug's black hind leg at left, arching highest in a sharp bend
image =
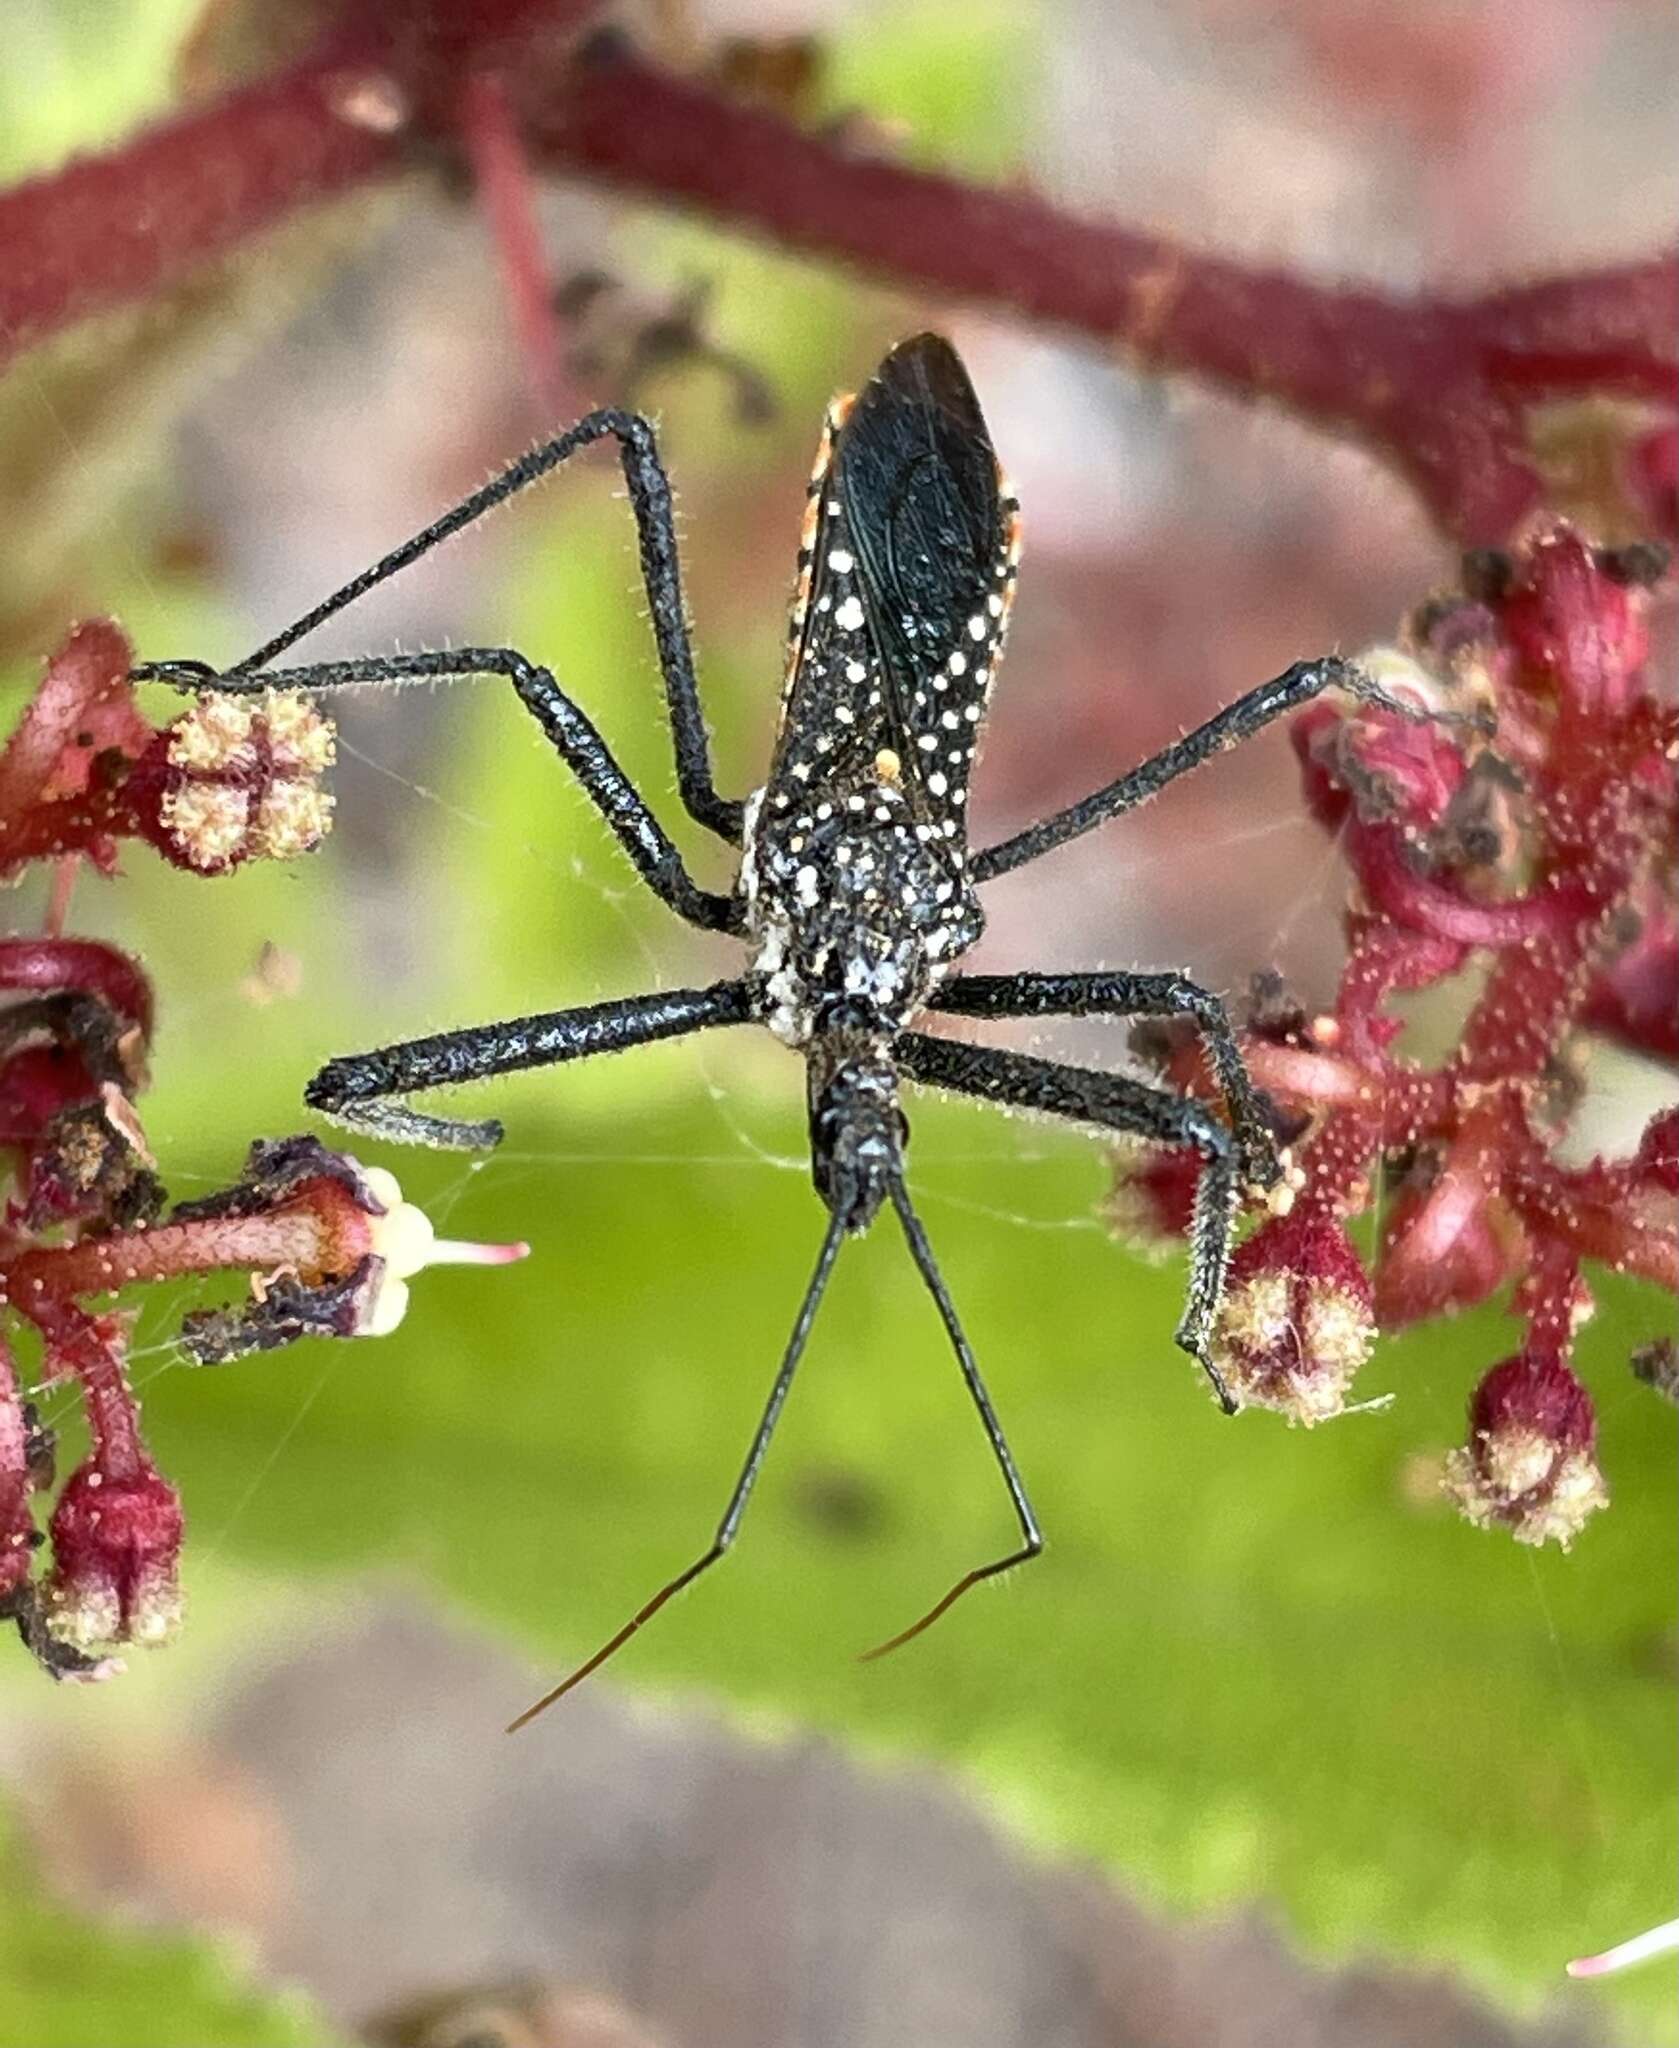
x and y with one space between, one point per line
660 574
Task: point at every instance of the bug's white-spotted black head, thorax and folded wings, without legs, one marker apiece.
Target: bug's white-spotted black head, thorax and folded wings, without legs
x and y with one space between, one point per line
855 873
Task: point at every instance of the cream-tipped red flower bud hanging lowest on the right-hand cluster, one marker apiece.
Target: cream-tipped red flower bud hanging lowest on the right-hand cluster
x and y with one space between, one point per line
1529 1463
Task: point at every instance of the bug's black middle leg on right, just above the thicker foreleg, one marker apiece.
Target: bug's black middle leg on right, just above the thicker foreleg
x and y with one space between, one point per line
1131 996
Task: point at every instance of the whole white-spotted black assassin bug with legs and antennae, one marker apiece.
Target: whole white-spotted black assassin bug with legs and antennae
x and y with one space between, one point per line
857 888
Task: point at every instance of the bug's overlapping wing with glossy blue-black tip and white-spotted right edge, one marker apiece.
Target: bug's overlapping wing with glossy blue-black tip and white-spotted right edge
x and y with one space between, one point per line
935 540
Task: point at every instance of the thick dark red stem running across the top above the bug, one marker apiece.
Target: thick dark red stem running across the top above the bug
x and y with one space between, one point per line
1426 382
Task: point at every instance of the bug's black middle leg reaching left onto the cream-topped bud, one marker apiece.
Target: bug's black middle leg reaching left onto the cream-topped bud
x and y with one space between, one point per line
568 728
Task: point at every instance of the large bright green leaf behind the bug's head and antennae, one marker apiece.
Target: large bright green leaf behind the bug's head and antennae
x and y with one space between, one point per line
1252 1668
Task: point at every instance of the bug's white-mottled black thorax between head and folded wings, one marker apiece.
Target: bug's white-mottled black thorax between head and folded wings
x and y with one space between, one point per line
853 906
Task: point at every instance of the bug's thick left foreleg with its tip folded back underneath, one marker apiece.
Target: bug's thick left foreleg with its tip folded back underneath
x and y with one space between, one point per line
357 1091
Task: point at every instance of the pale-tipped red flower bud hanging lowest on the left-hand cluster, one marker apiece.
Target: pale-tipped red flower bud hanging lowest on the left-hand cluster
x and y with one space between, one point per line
116 1549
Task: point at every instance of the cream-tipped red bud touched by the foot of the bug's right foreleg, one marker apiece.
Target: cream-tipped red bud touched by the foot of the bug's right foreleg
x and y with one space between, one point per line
1297 1320
